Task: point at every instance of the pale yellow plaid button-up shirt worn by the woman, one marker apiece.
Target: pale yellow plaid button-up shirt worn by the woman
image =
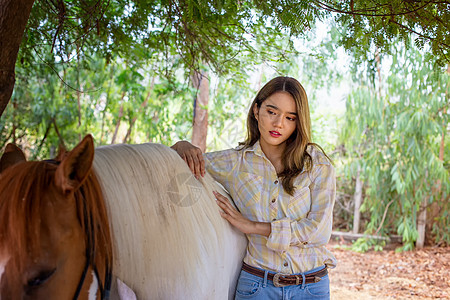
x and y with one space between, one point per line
301 224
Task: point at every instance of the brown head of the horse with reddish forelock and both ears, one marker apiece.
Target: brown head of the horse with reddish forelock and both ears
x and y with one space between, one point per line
53 226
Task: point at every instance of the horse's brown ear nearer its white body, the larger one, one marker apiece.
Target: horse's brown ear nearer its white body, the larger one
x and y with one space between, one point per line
75 166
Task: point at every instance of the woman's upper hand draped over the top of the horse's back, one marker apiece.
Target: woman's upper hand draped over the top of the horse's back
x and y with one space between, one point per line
192 155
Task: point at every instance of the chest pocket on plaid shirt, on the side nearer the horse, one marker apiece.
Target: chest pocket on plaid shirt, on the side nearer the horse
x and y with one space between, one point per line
248 188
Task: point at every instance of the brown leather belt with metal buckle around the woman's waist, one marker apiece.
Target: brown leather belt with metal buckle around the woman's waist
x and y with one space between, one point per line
281 279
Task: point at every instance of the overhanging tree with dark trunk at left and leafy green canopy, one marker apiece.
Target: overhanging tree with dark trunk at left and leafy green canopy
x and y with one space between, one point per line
200 30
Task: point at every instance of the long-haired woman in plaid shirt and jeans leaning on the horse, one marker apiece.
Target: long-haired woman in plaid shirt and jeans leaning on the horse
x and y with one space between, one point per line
284 188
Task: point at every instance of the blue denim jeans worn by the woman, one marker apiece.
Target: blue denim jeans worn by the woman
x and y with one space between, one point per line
253 287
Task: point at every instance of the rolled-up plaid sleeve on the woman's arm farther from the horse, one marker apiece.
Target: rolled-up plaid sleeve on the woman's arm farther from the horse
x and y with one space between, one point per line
315 229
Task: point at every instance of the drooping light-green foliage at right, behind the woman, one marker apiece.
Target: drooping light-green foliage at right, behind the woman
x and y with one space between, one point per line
395 140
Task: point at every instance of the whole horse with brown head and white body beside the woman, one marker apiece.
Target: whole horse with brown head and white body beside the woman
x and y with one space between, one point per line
69 227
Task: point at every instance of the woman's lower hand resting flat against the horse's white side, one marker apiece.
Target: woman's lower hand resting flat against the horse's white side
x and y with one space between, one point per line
236 219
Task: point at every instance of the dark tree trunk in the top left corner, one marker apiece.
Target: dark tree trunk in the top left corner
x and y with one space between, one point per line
14 15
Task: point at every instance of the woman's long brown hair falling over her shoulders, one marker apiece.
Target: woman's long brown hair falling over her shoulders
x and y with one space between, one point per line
295 158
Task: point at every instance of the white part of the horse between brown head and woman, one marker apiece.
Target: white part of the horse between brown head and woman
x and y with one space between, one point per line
170 241
